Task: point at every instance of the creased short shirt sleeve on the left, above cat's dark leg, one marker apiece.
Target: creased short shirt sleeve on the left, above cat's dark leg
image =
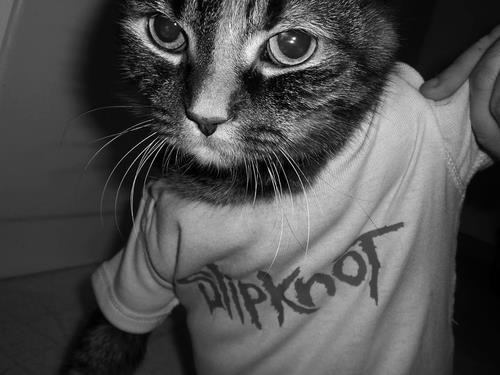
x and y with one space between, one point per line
135 288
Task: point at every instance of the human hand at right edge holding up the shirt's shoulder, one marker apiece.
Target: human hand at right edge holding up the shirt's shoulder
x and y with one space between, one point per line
481 65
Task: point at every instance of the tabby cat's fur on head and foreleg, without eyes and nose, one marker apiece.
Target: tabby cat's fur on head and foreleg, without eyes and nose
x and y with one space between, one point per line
284 123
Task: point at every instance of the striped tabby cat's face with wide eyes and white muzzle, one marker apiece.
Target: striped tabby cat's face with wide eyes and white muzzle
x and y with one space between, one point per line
230 81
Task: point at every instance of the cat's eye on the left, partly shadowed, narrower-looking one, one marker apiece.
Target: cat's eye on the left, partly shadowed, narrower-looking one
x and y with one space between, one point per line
167 33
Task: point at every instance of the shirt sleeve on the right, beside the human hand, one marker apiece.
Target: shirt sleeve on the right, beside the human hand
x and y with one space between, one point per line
453 117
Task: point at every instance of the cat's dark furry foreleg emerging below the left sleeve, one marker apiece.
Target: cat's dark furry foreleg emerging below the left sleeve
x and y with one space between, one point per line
103 349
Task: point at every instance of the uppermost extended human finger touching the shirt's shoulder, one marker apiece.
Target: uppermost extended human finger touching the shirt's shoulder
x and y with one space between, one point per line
452 78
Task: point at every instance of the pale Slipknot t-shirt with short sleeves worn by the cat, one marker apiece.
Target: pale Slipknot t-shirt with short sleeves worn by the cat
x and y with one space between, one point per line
355 276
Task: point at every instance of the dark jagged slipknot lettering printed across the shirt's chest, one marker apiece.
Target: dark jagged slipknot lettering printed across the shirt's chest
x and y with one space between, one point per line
240 298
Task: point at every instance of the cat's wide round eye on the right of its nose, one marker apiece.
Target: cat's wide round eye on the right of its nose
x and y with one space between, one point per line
291 47
